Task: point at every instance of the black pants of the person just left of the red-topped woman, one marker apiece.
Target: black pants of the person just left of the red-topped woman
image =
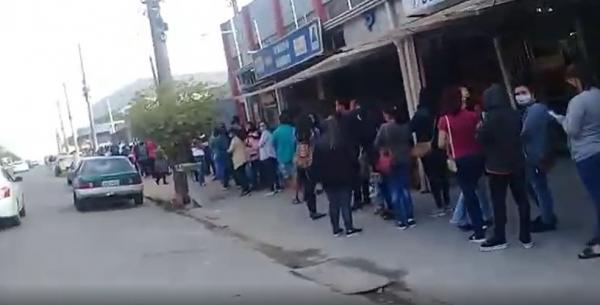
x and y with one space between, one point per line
436 169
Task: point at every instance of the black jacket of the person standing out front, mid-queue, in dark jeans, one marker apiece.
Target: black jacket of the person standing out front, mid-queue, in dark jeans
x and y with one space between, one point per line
334 166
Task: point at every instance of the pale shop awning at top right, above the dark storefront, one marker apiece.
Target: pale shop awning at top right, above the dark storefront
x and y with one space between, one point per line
469 8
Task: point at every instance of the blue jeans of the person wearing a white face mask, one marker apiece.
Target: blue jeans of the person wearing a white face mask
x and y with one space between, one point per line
543 197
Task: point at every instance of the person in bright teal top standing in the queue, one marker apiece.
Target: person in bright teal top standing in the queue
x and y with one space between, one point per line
285 148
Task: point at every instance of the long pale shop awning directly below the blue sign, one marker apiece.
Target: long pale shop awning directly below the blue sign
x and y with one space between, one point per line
332 63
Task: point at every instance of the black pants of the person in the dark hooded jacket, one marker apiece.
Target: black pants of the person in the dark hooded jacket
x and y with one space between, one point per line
518 186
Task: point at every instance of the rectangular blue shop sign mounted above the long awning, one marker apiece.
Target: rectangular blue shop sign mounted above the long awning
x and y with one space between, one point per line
297 47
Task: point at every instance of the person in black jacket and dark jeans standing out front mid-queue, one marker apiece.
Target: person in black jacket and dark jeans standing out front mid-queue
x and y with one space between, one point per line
334 167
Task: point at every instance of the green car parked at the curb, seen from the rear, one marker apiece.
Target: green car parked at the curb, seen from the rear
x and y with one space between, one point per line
100 179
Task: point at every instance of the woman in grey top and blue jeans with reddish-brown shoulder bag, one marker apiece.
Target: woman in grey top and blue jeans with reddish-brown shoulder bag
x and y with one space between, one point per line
394 142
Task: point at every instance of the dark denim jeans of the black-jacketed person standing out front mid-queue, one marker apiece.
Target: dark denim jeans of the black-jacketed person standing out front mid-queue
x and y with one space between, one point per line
339 203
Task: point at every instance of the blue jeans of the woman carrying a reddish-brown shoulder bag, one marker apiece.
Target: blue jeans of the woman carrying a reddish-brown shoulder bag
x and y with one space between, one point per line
399 190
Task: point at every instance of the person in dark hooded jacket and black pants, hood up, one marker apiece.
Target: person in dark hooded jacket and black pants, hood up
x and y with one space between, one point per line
500 137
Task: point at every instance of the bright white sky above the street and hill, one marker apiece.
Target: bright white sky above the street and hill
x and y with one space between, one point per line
39 52
